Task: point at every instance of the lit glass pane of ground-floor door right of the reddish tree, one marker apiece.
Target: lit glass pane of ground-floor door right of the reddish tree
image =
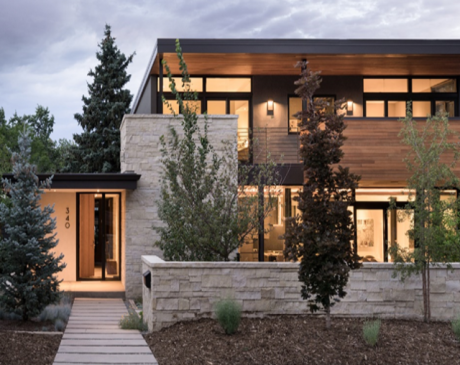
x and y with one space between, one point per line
370 234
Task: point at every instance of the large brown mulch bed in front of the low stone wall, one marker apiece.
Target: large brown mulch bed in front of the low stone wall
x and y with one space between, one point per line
288 340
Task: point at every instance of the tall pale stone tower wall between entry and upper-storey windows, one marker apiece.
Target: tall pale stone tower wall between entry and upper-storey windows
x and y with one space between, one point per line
140 152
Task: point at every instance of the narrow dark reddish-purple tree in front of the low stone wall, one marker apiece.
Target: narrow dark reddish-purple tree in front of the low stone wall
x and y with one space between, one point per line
321 235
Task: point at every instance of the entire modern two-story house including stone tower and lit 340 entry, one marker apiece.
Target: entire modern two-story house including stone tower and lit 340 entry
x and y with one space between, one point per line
246 86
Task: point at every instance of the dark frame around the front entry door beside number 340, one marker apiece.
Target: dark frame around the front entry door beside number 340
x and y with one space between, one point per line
101 237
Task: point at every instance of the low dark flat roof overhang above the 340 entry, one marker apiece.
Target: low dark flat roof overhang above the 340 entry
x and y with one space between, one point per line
120 181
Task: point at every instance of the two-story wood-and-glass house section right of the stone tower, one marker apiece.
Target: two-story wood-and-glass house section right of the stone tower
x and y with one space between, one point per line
254 79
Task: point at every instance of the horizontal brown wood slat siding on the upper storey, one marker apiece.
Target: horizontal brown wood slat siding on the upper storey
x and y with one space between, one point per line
373 150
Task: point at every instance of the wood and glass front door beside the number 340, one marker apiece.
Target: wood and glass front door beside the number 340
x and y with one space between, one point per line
98 236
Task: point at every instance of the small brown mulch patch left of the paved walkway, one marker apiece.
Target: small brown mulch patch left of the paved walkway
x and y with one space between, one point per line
31 349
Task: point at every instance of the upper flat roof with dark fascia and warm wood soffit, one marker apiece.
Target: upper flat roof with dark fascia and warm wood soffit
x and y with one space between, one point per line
367 57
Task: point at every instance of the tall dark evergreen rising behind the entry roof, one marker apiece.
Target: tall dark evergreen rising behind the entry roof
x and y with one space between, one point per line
98 147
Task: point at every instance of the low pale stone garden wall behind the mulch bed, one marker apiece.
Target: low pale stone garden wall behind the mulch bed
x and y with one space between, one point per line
188 290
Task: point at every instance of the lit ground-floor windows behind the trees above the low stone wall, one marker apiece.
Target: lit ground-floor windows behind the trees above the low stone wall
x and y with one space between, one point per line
378 226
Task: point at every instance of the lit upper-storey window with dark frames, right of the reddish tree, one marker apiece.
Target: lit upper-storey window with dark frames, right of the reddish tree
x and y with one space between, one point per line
388 97
